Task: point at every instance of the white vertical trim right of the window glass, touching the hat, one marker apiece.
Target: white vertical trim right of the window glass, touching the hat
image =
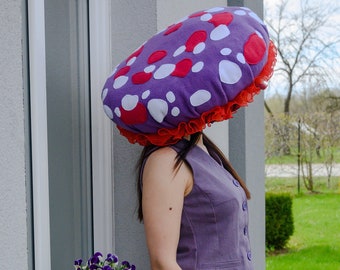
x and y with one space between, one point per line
100 67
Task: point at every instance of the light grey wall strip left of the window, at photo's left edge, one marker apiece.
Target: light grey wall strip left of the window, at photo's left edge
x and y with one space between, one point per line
13 205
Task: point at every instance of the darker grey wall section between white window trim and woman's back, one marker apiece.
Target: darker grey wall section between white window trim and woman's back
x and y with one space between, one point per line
132 23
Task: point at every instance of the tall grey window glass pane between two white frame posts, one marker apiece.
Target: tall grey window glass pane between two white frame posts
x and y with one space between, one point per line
68 117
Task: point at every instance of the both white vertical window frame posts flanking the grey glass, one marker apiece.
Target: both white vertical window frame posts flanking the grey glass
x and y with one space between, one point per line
101 133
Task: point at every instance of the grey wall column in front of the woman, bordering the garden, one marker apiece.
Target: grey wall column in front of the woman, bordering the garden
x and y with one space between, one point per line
246 153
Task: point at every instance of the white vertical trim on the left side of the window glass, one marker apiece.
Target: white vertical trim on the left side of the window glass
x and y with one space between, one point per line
38 113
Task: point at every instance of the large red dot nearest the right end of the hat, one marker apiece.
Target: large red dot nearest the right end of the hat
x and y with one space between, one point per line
254 49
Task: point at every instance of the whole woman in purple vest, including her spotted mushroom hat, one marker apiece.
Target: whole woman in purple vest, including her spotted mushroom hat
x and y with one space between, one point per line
197 71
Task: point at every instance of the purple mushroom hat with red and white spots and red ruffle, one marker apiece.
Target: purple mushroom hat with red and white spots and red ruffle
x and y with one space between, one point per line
197 71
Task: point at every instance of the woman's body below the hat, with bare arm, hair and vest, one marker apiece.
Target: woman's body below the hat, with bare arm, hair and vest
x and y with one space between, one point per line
179 210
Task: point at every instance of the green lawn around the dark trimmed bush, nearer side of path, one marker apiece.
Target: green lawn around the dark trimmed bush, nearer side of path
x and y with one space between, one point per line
315 244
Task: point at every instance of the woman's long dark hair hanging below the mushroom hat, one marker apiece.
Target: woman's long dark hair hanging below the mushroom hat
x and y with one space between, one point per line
180 158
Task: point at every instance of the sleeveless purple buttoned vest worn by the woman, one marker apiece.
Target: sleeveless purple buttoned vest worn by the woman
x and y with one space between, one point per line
214 226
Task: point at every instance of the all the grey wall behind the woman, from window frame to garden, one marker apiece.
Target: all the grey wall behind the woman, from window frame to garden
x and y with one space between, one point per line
149 17
